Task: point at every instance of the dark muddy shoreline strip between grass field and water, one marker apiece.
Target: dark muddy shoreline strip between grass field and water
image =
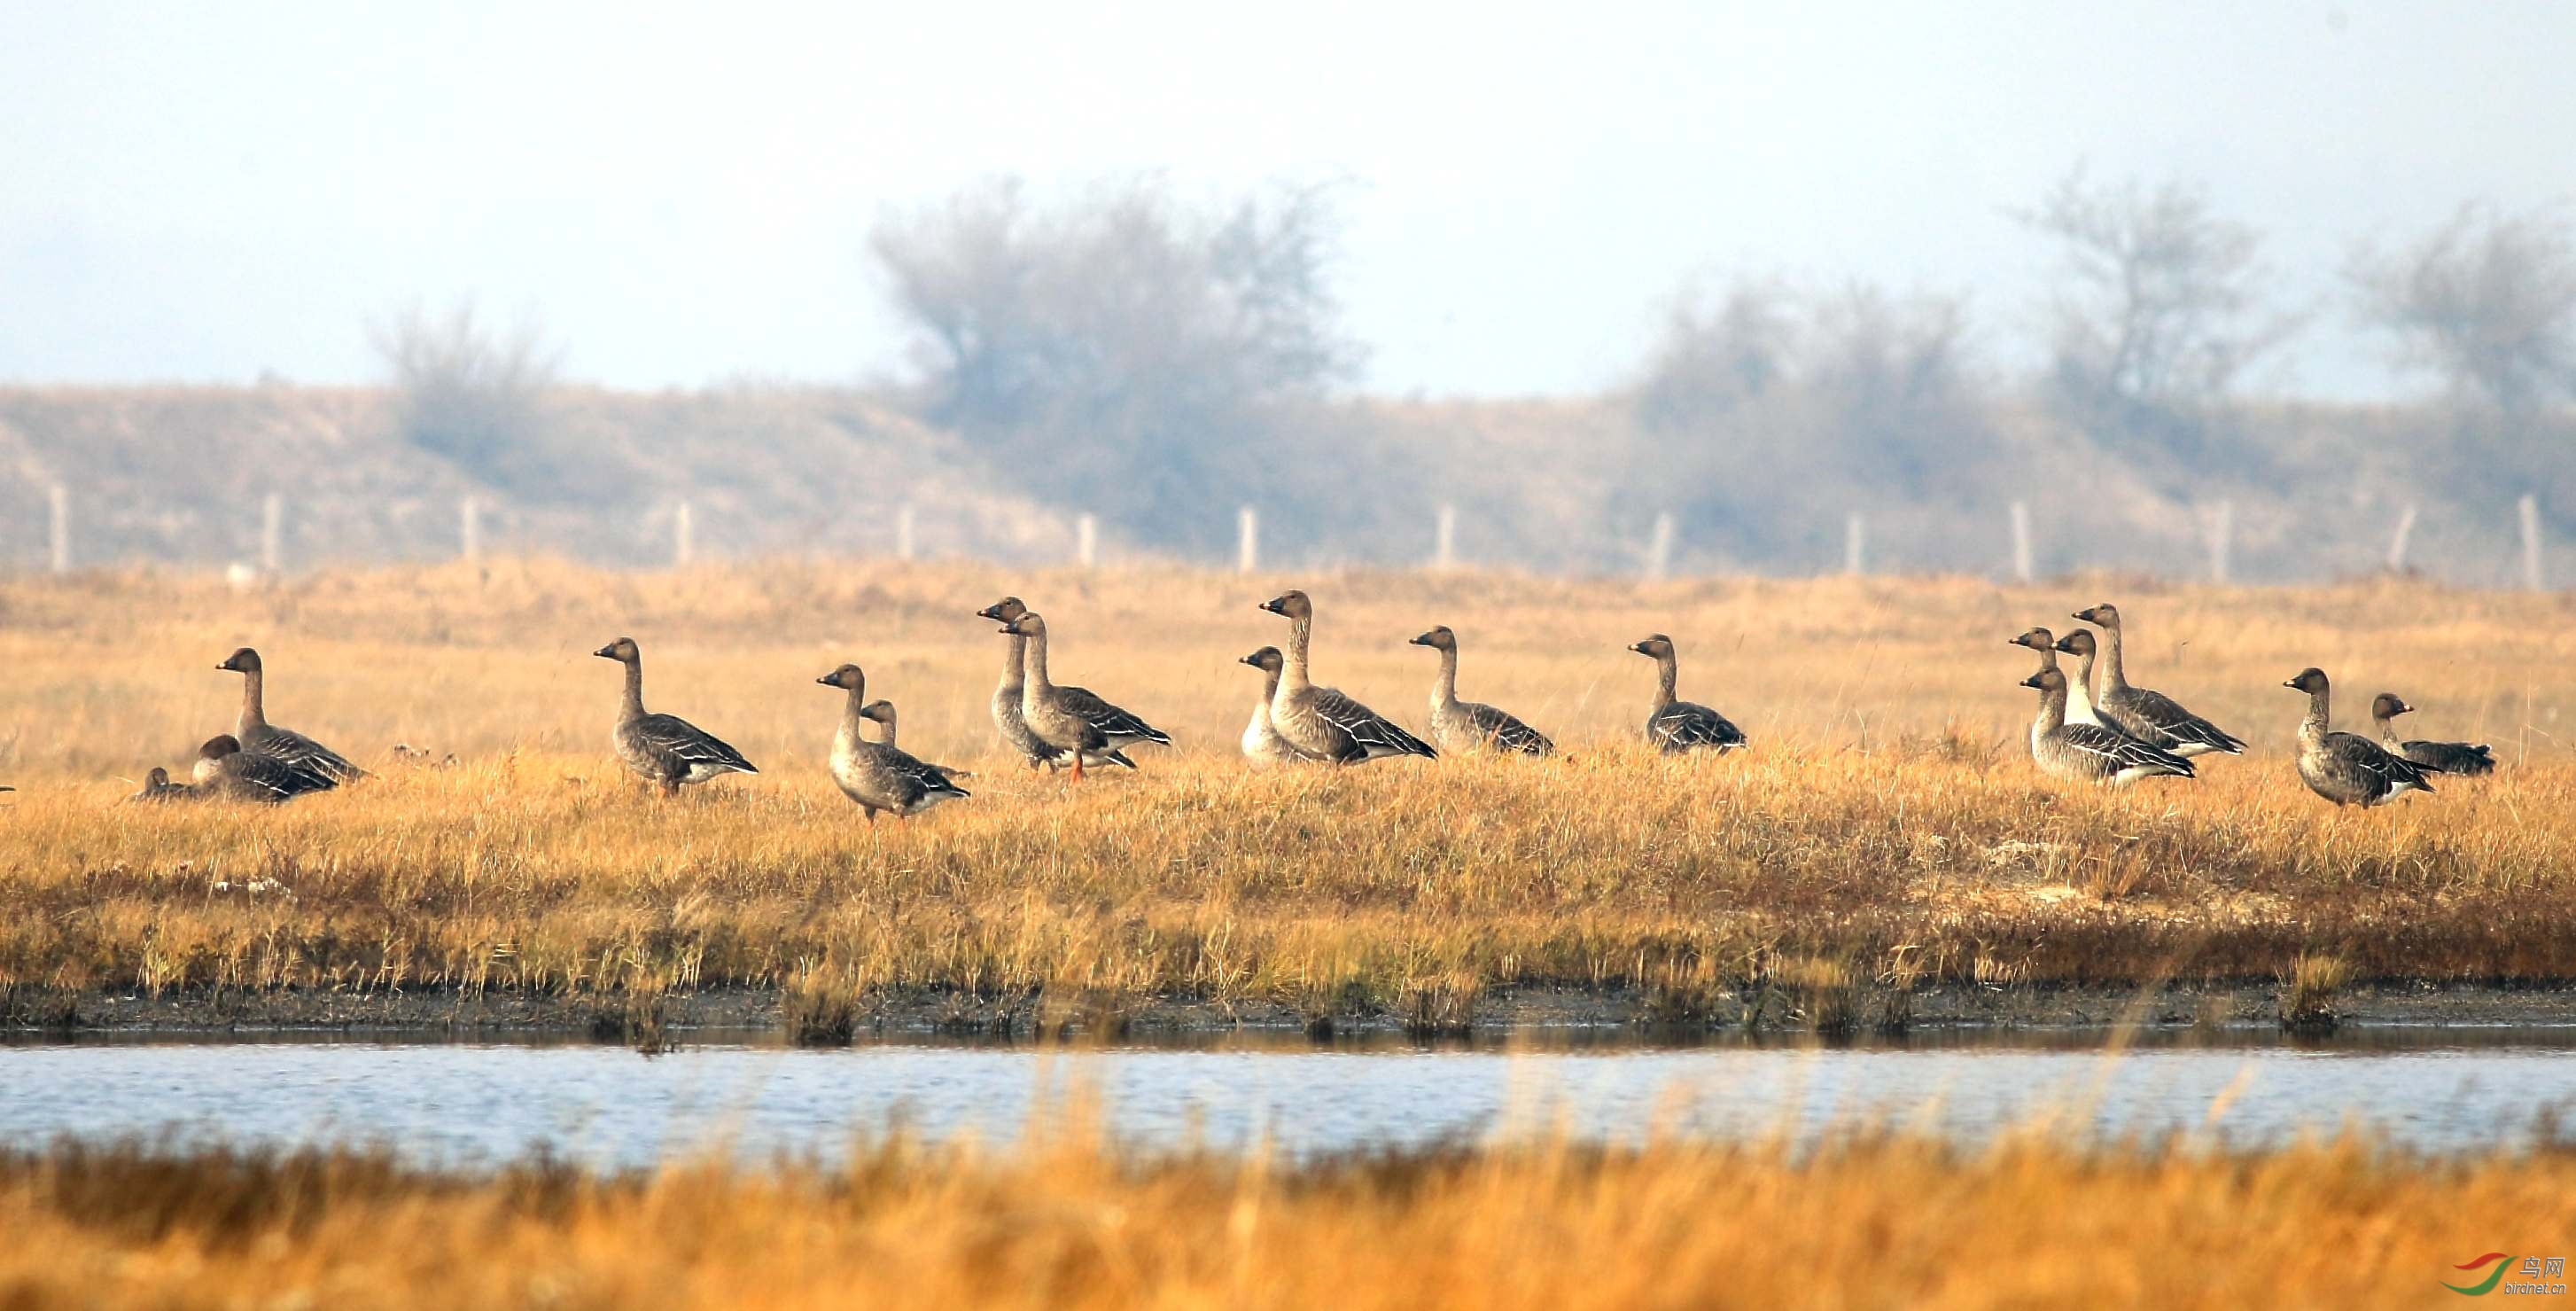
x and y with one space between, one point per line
431 1014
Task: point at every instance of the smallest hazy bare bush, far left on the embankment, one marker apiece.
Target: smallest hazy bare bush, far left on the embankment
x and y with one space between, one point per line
468 393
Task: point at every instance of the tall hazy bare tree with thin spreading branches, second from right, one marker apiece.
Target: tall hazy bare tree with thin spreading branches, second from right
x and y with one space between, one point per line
2160 308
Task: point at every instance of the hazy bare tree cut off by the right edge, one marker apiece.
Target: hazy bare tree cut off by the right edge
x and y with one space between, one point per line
2487 303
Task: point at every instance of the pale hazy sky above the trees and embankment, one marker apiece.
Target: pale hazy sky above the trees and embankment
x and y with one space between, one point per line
681 197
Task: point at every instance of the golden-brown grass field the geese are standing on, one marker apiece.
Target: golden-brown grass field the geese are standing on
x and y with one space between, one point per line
1884 831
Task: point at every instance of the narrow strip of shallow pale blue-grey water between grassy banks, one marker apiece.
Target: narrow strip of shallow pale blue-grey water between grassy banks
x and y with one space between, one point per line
2436 1091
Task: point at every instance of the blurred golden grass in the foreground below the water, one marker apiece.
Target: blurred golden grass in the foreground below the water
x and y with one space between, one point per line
1063 1225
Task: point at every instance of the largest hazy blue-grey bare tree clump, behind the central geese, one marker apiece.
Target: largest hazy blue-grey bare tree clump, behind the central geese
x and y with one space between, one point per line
1127 349
